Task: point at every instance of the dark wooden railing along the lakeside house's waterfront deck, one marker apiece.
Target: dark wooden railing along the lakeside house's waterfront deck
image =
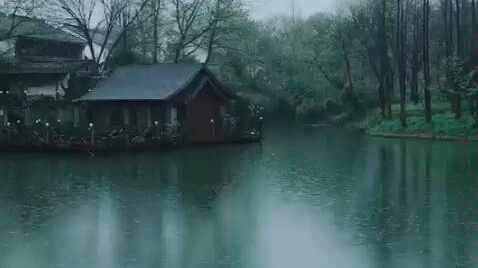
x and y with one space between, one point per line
62 134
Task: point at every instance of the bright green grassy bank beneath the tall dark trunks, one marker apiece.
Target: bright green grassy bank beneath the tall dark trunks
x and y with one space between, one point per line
443 126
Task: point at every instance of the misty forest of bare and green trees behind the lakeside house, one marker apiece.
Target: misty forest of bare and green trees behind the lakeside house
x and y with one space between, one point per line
371 54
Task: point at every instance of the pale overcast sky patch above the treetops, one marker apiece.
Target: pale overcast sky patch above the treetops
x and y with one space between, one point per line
265 8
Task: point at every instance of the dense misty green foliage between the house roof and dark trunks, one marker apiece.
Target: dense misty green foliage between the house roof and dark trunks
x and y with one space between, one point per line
300 62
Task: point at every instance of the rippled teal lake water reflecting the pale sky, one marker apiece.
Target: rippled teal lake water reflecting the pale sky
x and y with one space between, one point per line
318 197
